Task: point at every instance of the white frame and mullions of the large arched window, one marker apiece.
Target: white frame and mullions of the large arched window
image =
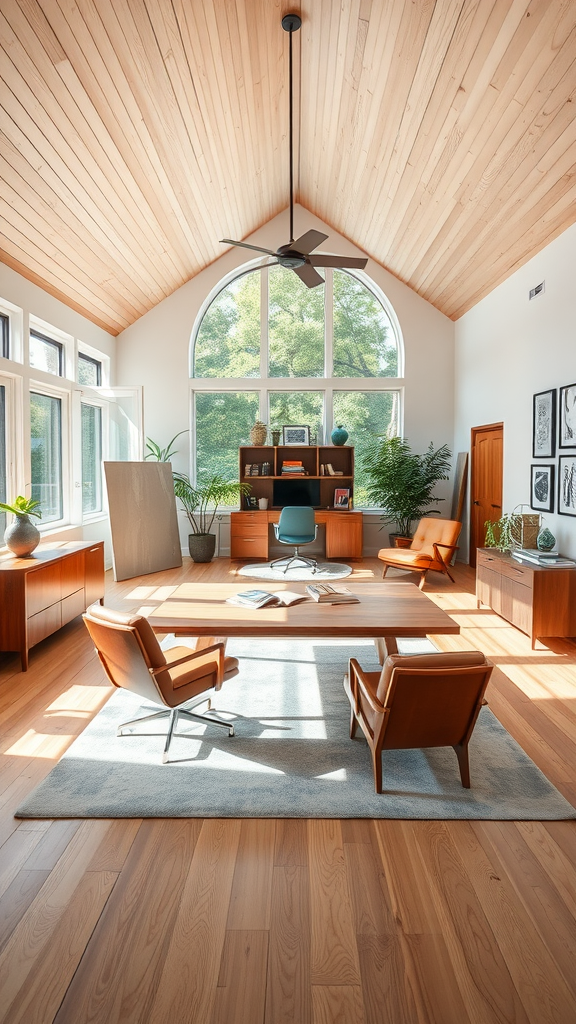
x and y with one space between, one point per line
266 387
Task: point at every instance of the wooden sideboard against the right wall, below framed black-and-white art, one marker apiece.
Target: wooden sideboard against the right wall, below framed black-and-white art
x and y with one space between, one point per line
538 601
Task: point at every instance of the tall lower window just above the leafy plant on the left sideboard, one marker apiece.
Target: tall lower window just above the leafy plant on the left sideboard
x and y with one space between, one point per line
46 430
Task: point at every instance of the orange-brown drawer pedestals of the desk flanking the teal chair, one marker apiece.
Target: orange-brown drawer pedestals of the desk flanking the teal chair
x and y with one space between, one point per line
250 533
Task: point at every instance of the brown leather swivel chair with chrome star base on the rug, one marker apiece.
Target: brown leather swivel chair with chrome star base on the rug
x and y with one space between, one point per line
134 660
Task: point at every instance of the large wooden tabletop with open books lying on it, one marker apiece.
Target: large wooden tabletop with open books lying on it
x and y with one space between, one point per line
385 610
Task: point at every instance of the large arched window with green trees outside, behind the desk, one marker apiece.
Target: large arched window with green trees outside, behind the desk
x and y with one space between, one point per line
267 347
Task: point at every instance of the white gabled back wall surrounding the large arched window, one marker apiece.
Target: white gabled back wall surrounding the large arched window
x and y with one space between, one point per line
154 352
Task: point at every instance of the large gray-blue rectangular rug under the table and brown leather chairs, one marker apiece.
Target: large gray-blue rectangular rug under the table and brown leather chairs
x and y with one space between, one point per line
292 756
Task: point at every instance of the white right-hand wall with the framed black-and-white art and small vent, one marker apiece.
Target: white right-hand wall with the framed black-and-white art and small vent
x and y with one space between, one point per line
509 349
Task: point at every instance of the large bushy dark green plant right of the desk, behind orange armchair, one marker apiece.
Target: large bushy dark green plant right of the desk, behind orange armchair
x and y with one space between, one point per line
402 482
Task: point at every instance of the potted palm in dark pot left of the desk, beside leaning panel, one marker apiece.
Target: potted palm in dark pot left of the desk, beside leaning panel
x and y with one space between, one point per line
200 503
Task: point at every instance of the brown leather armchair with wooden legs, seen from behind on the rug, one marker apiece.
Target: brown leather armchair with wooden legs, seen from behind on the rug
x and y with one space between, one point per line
419 701
